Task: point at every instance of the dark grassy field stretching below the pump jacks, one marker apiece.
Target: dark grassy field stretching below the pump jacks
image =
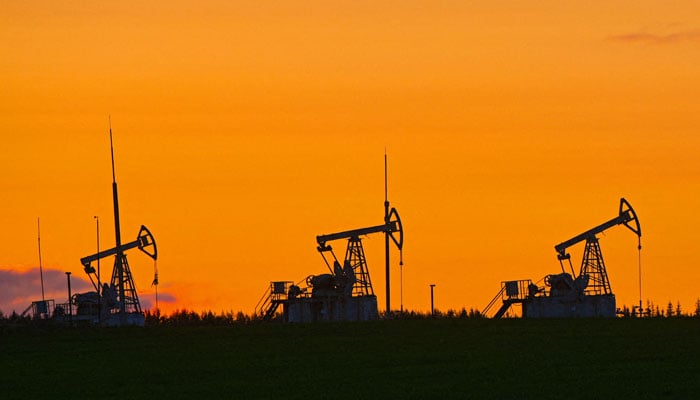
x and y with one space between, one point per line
446 358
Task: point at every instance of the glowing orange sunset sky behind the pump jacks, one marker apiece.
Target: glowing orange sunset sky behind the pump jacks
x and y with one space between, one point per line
243 130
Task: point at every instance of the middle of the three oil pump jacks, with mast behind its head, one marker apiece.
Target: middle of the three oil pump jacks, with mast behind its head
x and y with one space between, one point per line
346 292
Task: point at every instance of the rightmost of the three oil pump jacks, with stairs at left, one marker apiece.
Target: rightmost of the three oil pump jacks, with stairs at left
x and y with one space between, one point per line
567 295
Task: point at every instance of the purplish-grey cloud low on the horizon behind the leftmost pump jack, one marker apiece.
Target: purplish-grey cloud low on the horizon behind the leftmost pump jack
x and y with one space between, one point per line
18 289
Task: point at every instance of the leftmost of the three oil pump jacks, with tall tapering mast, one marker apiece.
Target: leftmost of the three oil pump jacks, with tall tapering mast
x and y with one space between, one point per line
116 304
